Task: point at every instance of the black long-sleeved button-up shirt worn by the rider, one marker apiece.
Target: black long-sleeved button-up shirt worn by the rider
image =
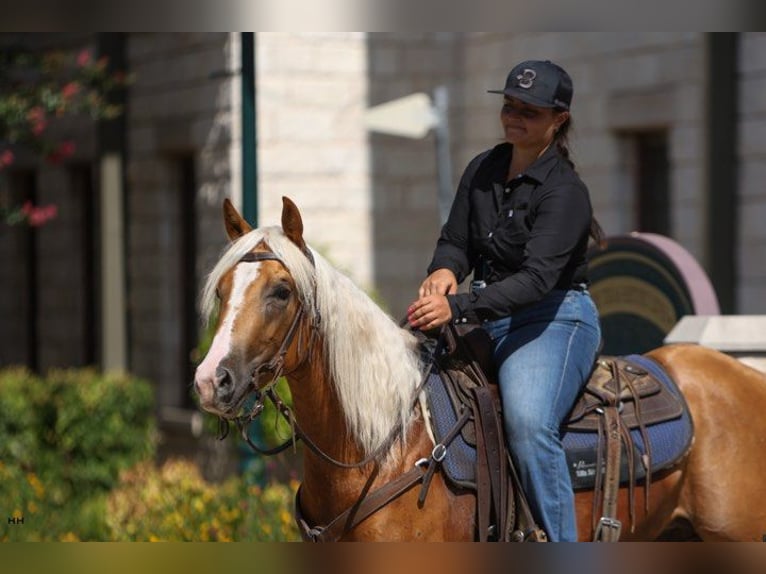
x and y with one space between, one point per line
525 237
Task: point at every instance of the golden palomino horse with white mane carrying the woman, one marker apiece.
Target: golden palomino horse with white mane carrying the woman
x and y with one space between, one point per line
353 373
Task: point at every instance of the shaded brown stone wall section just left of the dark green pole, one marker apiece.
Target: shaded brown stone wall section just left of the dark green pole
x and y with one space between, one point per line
183 116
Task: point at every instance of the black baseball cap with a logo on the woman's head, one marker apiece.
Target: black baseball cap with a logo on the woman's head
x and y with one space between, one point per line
539 83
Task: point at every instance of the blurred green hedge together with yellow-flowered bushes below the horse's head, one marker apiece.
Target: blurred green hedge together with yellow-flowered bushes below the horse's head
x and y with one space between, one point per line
76 463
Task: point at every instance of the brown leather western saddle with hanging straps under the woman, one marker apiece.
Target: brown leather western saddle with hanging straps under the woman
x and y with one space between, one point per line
621 398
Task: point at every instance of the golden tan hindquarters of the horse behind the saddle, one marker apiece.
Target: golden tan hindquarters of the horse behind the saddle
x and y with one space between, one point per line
722 492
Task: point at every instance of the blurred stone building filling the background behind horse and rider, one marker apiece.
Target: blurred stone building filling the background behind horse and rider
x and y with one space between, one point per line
670 136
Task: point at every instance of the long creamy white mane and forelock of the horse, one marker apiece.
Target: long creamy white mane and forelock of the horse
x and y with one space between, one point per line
373 363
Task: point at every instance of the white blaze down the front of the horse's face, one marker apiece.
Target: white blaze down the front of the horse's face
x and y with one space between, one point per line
244 275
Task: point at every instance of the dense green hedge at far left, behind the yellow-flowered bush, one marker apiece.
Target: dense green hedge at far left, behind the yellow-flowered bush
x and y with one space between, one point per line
64 439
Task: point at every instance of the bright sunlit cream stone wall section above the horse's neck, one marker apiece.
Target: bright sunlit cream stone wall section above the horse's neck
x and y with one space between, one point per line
311 92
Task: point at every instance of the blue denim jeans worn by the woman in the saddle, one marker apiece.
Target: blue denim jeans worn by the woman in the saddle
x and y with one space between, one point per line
544 354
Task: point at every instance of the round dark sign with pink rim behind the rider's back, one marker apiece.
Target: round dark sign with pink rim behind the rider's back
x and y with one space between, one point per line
642 285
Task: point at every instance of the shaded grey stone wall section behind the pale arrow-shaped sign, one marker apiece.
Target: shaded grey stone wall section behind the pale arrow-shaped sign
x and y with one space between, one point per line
405 213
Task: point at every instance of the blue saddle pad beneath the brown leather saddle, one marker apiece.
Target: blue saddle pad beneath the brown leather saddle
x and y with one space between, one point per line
669 440
